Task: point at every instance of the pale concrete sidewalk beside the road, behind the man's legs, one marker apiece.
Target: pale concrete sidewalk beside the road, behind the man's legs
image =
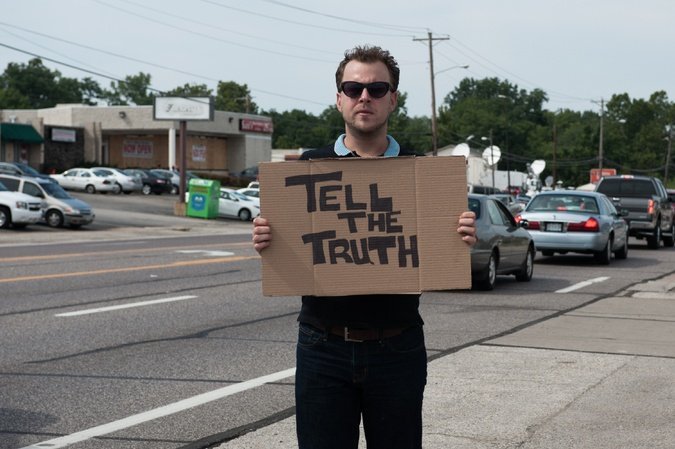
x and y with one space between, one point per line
599 377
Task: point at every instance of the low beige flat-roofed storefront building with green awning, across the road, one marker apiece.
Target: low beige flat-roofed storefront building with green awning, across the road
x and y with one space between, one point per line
128 137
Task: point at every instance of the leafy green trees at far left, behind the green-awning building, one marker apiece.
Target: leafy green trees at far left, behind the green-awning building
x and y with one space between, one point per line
32 85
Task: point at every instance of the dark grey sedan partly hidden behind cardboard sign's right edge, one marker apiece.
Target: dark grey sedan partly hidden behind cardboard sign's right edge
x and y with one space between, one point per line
503 247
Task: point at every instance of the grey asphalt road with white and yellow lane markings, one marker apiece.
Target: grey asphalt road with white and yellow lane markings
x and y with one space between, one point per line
150 331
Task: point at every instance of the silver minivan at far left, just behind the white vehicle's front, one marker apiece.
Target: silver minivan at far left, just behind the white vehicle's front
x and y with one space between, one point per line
59 207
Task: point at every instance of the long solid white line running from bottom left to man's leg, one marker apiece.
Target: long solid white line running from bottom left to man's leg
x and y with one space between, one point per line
160 412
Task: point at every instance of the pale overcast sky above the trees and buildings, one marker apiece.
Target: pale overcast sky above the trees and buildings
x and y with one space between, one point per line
286 51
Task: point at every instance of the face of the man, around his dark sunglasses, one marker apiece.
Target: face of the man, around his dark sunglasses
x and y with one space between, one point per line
366 114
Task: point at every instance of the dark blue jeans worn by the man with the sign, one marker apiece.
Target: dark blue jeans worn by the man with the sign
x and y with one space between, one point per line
338 382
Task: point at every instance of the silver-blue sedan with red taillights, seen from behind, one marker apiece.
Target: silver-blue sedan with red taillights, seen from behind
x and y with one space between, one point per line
576 221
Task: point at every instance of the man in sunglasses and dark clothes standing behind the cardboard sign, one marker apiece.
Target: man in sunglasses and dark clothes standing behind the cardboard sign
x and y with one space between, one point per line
362 355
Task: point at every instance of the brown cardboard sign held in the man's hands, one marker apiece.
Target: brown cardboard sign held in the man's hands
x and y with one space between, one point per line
414 199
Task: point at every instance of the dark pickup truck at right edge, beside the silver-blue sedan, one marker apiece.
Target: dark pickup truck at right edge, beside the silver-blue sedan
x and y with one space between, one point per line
650 209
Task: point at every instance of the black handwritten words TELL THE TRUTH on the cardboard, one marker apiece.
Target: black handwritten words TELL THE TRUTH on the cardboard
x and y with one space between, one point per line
326 193
